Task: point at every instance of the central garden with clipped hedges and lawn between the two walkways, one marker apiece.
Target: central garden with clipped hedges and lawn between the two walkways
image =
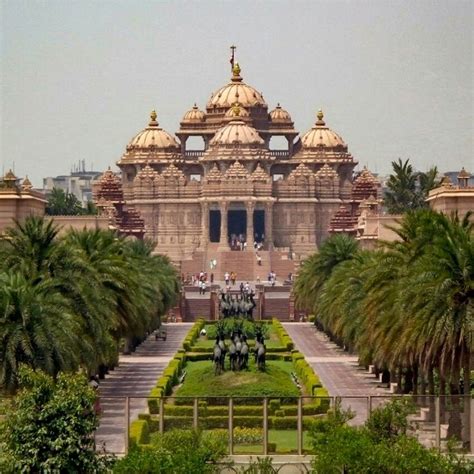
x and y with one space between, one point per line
191 395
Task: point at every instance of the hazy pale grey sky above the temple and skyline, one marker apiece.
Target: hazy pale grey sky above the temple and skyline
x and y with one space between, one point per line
395 78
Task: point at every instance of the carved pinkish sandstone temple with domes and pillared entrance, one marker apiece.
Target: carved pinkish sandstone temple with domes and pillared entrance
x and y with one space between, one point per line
190 199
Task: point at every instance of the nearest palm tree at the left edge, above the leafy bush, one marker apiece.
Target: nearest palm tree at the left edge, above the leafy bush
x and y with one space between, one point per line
37 327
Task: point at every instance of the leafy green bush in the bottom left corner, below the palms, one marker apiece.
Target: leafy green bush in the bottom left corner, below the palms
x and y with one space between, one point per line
51 424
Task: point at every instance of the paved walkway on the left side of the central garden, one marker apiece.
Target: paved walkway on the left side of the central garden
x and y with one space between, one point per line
135 376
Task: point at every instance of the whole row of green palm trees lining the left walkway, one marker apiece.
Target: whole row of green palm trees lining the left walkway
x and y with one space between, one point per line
66 302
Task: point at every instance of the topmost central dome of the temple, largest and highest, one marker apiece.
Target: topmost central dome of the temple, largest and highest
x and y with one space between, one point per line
236 91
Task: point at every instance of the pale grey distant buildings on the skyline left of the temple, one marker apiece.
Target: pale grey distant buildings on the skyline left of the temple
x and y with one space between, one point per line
79 183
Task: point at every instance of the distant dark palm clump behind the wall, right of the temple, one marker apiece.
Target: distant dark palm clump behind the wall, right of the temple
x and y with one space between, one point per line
407 189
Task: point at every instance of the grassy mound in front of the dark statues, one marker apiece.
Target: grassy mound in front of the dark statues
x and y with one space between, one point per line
274 382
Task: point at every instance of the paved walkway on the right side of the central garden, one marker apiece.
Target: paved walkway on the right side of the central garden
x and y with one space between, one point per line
339 371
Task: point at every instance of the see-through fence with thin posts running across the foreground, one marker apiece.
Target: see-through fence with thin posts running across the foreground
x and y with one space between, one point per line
263 426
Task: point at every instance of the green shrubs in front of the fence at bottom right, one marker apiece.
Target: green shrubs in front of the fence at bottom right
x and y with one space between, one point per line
383 445
